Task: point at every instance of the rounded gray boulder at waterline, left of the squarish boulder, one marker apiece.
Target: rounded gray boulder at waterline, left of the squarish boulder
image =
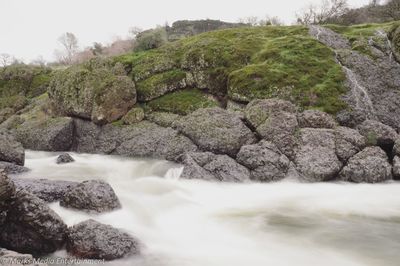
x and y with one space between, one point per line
265 161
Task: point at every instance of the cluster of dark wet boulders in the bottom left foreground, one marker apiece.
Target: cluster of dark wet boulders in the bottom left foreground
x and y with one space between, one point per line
29 226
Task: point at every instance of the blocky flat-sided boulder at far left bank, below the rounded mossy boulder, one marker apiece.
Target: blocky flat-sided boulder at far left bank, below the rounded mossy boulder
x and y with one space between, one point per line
54 134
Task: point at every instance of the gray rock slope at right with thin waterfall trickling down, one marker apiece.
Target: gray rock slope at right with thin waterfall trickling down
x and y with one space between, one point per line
374 82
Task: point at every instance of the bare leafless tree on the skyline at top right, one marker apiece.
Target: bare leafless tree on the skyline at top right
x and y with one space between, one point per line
323 13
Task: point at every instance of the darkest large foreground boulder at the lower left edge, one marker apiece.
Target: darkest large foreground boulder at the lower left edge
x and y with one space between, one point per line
31 226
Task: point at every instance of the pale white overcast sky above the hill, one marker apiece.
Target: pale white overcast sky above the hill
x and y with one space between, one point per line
29 28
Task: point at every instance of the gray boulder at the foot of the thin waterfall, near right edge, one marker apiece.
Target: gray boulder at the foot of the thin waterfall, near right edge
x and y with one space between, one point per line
378 133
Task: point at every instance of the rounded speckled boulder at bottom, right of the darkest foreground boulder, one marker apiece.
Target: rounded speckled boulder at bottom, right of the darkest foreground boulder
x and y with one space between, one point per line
93 240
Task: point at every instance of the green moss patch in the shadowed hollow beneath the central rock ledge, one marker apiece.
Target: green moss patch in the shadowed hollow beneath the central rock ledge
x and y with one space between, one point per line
182 102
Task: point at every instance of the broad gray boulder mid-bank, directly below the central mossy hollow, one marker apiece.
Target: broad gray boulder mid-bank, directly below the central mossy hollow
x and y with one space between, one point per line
216 130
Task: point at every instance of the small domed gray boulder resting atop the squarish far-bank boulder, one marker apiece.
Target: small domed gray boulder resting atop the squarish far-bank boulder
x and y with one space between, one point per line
316 119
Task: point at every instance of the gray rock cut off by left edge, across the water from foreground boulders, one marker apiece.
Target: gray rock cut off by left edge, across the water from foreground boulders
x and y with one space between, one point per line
10 150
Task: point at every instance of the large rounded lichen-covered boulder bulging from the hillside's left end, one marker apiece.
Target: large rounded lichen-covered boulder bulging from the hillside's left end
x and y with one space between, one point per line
94 90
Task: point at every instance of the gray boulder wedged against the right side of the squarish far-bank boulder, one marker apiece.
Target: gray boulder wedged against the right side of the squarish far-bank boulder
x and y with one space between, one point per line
348 142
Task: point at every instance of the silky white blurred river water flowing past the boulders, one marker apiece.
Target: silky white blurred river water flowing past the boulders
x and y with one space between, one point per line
195 223
